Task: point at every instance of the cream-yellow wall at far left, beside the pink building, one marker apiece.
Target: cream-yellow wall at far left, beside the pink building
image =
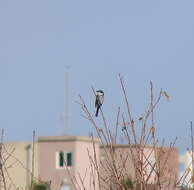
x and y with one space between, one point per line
17 164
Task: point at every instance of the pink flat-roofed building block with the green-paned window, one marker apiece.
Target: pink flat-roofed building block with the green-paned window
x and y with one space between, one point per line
66 161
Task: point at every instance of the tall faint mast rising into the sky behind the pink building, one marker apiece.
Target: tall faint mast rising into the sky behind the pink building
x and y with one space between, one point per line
66 114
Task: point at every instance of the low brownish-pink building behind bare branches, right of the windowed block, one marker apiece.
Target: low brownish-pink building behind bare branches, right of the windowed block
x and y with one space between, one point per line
125 158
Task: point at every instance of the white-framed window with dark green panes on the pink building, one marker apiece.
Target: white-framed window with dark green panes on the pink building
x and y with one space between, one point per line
62 158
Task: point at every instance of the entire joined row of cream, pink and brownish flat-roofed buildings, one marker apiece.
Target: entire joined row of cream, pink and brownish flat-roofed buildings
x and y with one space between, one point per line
73 162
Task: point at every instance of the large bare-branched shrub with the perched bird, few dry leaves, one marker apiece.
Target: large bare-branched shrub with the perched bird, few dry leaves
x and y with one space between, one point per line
151 165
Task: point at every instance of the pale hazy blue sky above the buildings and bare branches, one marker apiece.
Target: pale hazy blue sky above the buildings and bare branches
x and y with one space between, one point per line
142 40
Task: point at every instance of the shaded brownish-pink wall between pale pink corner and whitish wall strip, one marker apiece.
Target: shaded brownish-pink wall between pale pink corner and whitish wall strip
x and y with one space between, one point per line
122 160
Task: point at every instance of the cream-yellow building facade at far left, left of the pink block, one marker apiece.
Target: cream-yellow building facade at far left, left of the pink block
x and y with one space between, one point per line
17 165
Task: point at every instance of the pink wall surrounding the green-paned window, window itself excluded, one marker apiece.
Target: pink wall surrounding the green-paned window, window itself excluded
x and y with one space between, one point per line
60 177
